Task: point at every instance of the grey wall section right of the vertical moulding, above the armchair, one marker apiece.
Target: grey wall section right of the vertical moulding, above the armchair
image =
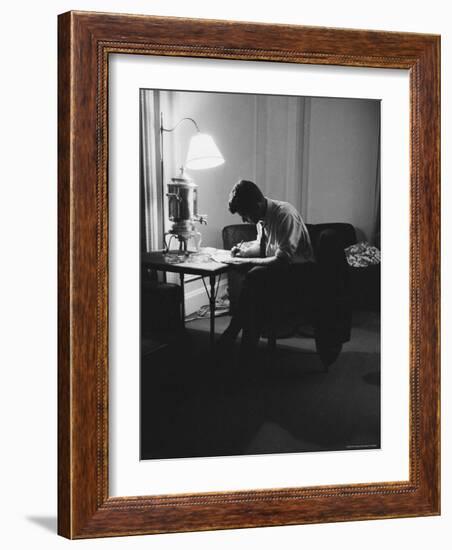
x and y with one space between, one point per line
342 162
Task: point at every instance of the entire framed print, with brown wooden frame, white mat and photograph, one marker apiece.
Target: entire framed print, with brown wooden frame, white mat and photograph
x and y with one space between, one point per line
248 275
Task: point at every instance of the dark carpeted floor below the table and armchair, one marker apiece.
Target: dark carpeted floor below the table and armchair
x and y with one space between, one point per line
192 406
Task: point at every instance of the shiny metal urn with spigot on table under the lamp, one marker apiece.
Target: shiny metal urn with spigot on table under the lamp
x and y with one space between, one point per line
183 213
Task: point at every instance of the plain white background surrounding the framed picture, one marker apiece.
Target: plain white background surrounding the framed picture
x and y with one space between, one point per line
28 275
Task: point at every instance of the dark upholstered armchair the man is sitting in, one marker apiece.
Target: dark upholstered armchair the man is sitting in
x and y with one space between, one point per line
327 306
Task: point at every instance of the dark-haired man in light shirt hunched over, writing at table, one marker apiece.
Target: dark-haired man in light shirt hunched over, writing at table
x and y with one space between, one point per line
282 248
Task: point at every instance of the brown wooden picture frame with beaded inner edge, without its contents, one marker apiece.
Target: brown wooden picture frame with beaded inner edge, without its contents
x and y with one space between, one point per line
85 42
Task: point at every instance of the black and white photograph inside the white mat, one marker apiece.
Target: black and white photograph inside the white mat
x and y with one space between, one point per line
260 274
